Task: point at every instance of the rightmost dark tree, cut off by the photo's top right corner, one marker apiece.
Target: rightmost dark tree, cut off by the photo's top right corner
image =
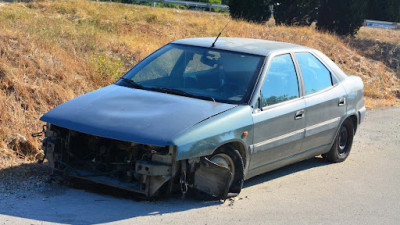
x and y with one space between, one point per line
388 10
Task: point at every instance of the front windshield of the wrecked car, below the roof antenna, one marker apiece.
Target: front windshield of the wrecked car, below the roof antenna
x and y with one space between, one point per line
205 73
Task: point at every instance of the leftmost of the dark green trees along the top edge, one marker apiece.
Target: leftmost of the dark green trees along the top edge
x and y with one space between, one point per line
251 10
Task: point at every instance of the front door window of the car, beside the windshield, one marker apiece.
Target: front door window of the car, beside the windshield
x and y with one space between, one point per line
281 81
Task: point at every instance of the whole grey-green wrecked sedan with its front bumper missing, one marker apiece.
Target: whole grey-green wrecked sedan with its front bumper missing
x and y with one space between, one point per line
200 115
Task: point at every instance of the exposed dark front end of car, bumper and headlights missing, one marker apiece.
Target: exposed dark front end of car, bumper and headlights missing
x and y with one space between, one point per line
140 168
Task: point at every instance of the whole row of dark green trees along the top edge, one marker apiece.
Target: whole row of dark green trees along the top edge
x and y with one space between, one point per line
343 17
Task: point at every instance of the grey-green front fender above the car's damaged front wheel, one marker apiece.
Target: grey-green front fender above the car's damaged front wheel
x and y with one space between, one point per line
205 137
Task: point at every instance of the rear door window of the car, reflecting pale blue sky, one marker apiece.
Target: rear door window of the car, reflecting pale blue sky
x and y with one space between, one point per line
315 75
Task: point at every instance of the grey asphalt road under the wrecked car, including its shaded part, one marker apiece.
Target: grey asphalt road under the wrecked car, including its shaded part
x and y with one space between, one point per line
362 190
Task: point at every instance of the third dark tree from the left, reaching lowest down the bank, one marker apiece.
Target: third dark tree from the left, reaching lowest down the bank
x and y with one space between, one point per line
344 17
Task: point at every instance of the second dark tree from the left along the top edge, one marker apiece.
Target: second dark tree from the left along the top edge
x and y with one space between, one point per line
295 12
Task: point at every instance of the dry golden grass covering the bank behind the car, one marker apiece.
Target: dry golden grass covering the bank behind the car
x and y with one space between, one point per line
52 51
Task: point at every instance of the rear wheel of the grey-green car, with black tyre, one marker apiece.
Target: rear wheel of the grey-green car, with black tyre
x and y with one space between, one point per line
341 147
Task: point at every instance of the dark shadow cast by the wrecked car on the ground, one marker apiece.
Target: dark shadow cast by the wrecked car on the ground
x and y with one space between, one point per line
87 204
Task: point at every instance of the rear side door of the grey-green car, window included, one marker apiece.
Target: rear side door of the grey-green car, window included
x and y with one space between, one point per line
325 103
